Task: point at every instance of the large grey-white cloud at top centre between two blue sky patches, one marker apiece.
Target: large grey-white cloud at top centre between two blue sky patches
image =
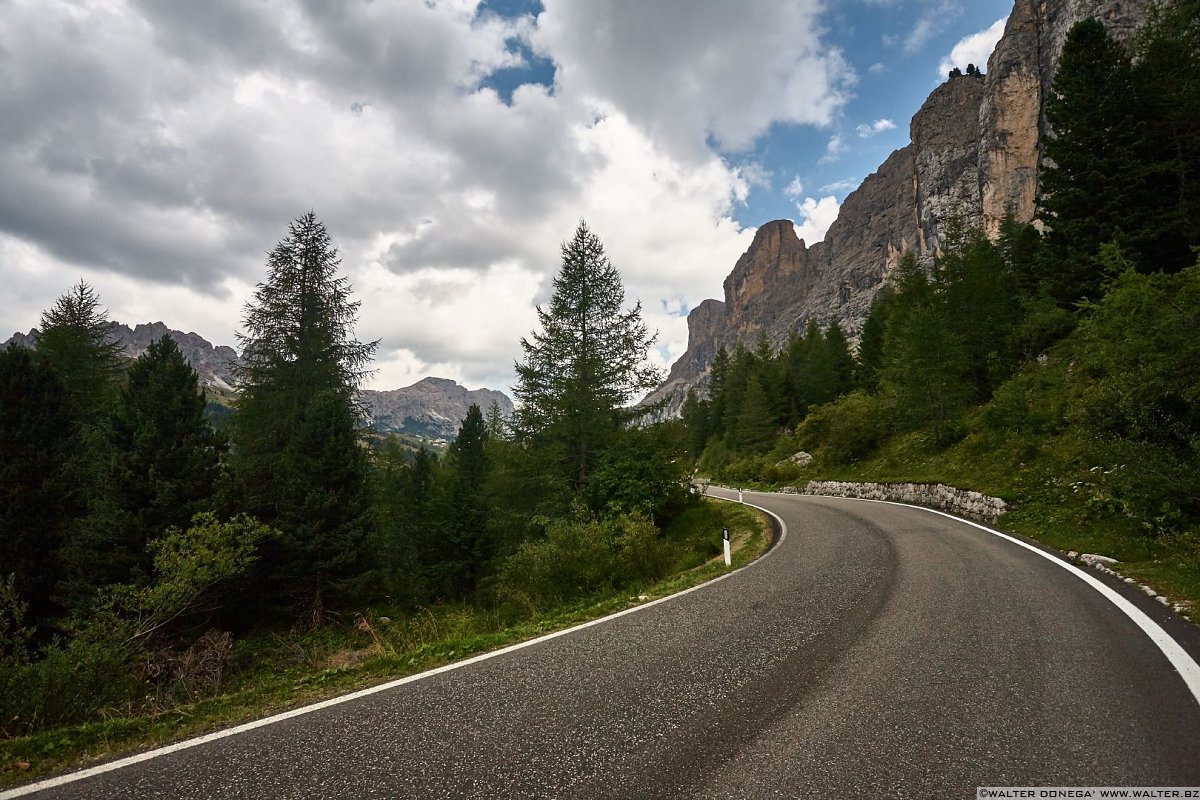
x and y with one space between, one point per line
719 70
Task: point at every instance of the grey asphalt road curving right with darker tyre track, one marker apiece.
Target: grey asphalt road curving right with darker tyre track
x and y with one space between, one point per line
878 652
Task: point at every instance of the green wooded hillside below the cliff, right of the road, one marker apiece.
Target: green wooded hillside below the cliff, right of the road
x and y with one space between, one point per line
1060 371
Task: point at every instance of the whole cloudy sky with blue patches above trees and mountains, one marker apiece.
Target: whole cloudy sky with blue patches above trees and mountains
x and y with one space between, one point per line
158 149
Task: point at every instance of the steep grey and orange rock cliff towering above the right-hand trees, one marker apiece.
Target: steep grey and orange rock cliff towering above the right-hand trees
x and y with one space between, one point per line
974 153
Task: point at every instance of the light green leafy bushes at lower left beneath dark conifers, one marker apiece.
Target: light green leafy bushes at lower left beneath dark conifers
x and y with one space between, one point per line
133 645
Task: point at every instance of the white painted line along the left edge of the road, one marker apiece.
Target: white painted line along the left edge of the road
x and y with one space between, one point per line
71 778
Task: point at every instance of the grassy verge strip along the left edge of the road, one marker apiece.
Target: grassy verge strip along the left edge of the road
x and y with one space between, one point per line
279 671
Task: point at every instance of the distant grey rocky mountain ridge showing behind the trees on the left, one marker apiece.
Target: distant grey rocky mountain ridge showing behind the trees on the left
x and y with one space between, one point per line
433 408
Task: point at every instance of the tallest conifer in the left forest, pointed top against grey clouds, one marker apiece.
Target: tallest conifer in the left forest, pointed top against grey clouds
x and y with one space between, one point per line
298 464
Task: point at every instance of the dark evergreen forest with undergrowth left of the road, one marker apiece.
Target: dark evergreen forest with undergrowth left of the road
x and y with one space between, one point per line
155 554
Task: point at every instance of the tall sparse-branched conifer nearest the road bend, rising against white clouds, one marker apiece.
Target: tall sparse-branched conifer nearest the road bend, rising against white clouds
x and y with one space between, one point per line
585 365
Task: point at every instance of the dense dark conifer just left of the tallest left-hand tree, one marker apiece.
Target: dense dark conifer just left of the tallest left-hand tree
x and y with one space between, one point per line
157 467
